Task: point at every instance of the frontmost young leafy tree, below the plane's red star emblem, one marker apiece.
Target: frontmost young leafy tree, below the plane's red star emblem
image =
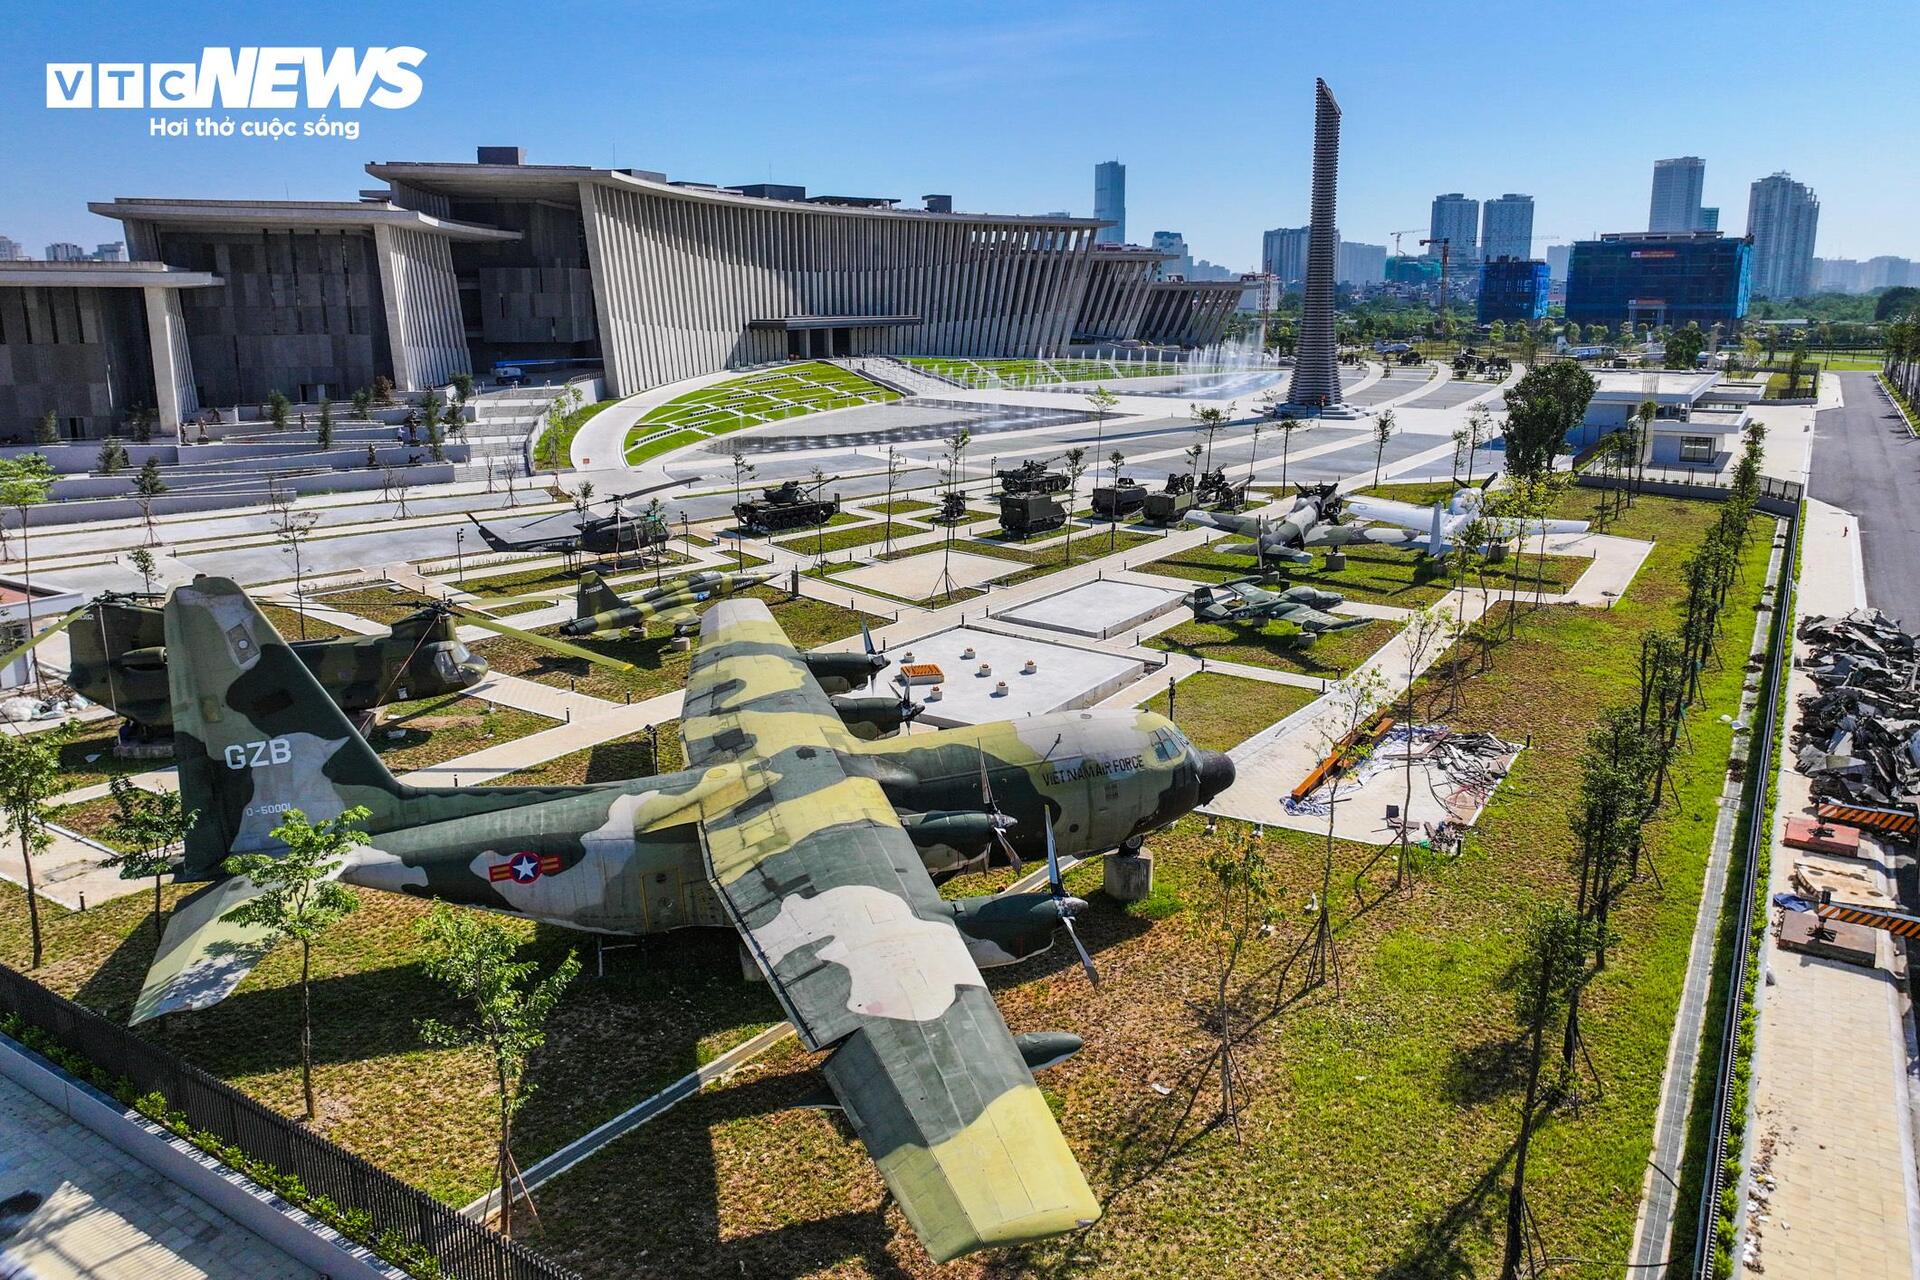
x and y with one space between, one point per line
475 959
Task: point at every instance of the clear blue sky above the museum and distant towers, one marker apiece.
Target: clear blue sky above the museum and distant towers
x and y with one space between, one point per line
1009 107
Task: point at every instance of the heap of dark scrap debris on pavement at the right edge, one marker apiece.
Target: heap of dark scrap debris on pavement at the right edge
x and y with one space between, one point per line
1860 734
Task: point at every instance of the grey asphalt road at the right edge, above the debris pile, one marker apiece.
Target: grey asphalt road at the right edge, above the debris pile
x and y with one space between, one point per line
1865 462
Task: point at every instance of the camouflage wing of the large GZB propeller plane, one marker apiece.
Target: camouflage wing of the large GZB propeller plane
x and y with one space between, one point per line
838 913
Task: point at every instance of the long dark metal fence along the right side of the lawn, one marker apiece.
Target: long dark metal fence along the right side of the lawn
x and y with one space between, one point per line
1760 774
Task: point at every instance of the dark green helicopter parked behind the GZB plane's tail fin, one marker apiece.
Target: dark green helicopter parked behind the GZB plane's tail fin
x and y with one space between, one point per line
120 659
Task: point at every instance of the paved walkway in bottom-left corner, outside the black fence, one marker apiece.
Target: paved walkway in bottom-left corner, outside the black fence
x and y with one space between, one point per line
108 1218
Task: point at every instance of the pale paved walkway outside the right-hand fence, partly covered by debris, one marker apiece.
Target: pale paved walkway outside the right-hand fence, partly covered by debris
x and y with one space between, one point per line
1831 1129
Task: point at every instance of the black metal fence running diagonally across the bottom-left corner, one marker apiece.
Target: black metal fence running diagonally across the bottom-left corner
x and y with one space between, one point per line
466 1250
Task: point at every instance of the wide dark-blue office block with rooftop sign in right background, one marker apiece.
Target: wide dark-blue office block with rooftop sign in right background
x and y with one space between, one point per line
1660 279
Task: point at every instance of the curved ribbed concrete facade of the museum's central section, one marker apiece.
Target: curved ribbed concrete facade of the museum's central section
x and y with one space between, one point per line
679 281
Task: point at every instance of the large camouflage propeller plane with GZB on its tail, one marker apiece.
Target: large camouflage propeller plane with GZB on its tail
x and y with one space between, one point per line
813 845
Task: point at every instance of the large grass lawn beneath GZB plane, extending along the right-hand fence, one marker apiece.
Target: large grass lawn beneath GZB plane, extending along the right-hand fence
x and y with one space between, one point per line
1380 1118
